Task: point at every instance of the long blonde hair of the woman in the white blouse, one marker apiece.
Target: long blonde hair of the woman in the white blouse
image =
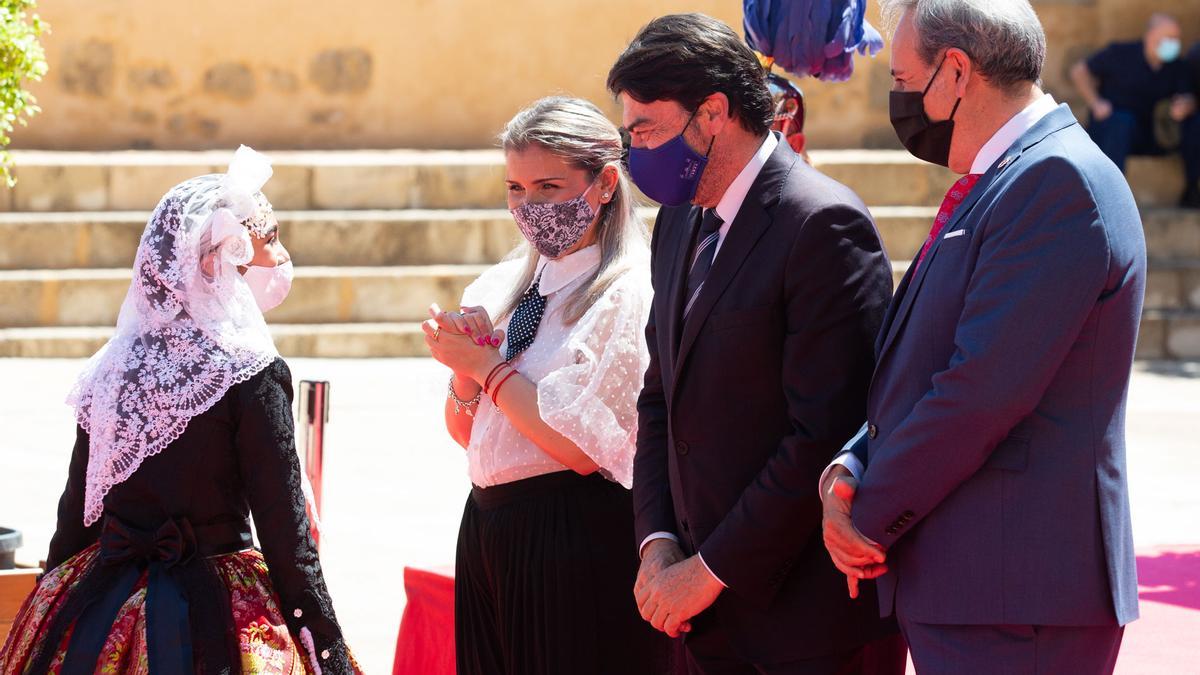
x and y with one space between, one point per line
578 132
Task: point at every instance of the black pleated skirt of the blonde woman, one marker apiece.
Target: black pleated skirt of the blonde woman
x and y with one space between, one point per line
544 582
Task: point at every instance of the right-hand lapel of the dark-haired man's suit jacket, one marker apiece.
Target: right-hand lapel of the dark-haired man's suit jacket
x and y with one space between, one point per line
748 228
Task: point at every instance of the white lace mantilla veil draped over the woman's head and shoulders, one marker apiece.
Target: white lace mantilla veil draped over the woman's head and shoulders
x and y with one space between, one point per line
190 328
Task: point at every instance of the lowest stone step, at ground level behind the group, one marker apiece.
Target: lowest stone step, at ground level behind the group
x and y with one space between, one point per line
1165 336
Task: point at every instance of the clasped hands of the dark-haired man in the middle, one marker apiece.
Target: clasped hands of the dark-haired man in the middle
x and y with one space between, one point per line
673 588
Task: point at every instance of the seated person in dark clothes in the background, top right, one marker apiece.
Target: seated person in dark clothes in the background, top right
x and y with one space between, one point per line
1125 83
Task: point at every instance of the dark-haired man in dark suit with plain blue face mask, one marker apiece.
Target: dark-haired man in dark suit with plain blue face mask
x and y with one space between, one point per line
771 284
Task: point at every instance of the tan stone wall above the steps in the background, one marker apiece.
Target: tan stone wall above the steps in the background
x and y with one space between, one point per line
416 74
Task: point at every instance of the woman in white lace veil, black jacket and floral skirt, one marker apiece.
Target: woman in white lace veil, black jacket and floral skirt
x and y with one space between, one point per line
184 433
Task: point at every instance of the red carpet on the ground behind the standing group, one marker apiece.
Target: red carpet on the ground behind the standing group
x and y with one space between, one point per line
1165 642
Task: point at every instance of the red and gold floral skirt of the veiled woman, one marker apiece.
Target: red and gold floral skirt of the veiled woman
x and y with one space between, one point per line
266 646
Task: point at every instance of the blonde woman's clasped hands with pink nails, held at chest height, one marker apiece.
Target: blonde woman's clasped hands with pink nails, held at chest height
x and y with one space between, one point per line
455 339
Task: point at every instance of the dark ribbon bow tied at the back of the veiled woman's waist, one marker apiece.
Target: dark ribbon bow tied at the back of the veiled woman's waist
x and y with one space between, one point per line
129 552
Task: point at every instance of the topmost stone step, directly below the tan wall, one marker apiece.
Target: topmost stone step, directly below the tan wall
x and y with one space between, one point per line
436 180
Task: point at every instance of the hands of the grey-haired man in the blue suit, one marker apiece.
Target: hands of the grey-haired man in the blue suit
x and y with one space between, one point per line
854 554
